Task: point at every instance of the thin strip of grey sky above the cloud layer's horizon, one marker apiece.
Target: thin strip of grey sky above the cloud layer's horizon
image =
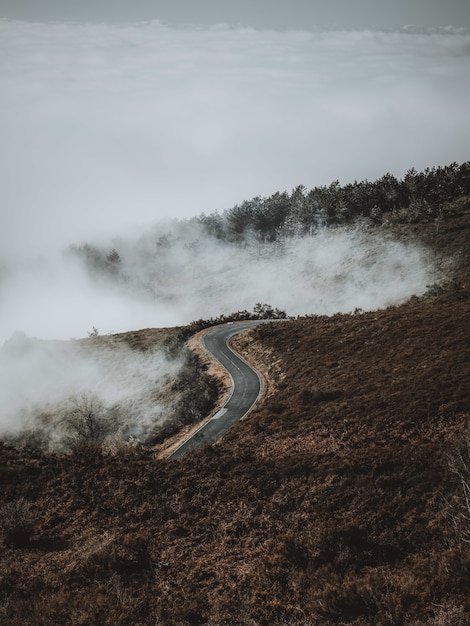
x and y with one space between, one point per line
279 14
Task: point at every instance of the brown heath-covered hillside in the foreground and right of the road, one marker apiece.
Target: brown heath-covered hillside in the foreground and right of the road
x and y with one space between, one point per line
337 501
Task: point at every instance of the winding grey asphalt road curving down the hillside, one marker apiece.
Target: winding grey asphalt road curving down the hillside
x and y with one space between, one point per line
246 388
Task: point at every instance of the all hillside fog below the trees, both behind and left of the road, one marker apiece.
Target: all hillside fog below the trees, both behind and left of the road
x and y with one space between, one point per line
171 275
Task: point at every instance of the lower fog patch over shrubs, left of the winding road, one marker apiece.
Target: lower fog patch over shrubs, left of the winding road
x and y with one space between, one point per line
45 384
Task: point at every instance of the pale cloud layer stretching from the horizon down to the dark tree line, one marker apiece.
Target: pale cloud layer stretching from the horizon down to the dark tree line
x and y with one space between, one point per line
106 128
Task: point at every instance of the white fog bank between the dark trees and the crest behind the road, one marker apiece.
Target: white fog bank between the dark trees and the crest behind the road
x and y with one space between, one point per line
175 273
